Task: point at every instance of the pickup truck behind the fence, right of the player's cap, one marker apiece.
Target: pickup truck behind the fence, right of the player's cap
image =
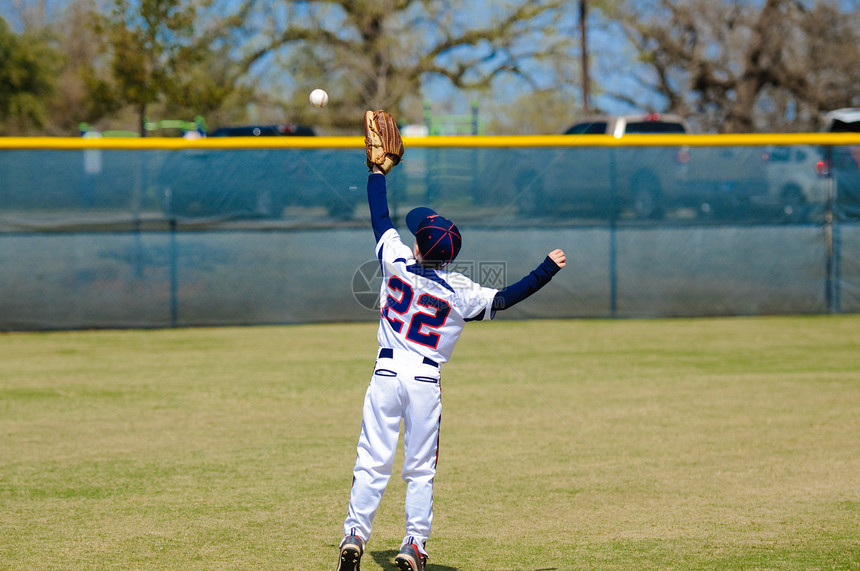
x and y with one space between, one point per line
642 182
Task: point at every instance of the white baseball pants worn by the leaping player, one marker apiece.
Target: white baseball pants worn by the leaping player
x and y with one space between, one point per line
402 387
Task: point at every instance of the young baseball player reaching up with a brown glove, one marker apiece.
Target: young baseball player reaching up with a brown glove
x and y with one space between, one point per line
423 310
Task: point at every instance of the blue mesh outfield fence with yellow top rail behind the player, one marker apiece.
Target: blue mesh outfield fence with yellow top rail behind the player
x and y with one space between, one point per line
169 232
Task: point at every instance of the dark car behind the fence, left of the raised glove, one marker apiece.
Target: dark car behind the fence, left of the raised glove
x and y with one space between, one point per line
260 182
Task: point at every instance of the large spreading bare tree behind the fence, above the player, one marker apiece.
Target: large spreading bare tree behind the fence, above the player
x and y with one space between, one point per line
385 54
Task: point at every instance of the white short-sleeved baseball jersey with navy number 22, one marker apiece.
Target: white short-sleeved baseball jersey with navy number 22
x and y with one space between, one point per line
424 310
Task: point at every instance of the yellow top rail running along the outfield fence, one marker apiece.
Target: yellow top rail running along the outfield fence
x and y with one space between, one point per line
174 143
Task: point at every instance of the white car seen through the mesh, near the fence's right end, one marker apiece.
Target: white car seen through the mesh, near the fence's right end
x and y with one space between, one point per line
796 177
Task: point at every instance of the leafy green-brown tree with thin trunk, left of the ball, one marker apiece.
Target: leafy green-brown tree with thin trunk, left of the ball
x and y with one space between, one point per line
168 55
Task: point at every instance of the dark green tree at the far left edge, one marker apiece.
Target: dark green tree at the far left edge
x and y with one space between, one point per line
27 66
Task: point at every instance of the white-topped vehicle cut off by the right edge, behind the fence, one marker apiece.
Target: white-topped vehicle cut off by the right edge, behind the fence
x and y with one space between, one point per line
843 162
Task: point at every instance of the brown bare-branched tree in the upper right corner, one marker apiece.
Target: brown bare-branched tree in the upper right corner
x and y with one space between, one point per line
734 66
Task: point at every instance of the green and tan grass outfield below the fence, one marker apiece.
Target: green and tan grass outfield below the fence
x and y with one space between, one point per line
644 444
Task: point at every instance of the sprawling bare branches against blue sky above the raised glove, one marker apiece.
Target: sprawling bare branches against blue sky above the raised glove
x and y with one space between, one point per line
386 50
